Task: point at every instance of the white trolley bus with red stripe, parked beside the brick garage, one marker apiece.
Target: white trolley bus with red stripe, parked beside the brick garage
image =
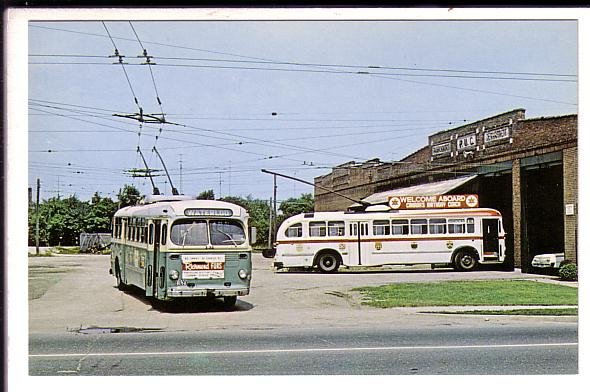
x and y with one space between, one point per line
461 238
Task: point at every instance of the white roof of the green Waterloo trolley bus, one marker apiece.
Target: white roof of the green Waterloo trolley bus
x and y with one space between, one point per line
177 208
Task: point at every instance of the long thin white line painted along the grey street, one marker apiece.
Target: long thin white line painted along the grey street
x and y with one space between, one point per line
299 350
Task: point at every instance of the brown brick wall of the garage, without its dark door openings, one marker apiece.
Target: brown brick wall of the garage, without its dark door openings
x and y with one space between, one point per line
502 143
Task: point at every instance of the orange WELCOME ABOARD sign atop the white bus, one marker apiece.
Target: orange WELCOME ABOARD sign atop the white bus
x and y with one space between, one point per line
432 202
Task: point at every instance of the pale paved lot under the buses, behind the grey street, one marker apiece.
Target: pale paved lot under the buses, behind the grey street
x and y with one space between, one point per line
83 294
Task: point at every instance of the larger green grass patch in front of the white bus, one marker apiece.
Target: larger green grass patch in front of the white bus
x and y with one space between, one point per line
463 293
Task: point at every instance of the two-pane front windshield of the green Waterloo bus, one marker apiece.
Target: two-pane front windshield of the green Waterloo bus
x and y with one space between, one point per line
195 232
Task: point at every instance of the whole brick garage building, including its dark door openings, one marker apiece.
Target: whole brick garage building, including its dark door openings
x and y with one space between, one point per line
525 168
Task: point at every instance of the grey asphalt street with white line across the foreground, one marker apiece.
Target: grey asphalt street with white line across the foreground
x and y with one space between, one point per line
509 350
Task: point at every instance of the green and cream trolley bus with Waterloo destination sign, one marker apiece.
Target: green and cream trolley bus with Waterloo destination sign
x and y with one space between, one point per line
179 247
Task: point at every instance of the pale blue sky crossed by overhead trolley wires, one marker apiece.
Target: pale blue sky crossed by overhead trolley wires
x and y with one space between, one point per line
294 97
